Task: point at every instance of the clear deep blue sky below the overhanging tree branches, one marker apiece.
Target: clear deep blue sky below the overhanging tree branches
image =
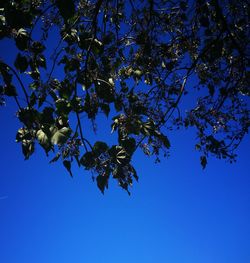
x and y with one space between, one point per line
177 213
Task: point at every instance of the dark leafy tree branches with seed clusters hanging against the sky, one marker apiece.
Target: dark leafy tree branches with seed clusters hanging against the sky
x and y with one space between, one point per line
134 61
